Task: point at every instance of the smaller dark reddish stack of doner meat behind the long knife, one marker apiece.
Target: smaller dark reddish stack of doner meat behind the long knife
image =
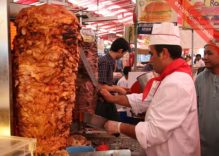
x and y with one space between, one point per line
86 93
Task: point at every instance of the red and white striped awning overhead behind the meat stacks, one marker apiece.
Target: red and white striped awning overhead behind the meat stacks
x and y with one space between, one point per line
105 16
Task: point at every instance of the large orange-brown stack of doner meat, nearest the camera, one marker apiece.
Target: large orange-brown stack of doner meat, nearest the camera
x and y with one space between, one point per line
45 64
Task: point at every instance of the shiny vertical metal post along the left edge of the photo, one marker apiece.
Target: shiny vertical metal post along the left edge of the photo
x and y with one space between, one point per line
5 71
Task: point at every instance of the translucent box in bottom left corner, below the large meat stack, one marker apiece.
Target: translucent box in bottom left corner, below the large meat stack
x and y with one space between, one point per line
17 146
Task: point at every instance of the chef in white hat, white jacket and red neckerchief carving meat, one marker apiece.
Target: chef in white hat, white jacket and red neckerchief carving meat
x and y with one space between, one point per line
170 127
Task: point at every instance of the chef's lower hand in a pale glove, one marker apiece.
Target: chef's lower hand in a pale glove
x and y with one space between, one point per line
112 127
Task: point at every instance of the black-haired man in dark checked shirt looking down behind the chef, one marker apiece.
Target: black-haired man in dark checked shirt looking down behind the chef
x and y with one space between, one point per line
106 65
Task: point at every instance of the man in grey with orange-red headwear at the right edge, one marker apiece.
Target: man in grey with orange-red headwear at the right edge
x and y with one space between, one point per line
207 88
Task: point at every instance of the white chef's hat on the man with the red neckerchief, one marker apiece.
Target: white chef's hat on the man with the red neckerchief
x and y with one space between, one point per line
165 33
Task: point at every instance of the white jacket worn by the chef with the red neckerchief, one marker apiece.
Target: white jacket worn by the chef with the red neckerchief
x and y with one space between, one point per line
171 122
